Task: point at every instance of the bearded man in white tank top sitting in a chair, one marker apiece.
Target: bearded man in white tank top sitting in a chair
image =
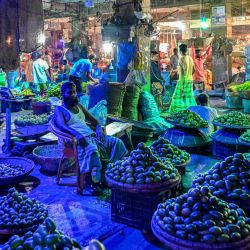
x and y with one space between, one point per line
71 118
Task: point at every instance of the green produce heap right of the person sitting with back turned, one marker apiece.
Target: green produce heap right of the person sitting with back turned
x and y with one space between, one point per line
234 118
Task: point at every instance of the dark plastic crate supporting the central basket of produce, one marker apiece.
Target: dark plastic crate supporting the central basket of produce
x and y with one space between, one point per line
135 209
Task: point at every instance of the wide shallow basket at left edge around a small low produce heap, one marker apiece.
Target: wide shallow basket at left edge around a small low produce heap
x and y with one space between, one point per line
27 165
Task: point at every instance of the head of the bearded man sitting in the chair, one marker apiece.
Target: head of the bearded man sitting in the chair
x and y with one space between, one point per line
69 95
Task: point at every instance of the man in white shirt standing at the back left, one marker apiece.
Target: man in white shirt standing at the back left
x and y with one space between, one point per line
40 71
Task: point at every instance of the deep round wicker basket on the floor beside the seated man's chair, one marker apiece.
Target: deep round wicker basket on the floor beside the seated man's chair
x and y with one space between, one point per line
48 157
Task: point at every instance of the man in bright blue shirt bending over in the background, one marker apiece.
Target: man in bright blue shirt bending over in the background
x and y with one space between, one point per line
81 72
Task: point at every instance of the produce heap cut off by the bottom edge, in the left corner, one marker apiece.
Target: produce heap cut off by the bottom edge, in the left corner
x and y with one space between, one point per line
45 237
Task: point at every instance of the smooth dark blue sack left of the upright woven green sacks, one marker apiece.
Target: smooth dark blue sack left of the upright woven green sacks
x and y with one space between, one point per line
97 92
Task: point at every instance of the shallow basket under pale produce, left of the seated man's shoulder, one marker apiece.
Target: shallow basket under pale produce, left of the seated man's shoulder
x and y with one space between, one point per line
32 131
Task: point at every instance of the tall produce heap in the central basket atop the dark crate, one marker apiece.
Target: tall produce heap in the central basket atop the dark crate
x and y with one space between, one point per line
141 167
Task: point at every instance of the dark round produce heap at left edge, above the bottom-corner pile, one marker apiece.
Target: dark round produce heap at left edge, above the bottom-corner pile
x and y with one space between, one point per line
18 211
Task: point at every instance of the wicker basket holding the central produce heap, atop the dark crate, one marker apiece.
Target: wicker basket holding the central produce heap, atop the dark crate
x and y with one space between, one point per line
144 188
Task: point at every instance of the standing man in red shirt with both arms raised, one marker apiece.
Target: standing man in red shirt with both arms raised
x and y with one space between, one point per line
199 72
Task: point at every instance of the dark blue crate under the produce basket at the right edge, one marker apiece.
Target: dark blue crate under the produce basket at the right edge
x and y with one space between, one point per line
221 150
